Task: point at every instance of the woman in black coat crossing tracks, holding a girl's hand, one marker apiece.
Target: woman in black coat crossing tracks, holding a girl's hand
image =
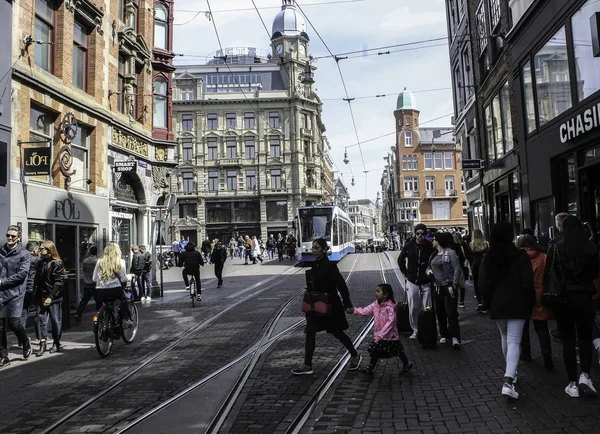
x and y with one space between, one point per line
327 278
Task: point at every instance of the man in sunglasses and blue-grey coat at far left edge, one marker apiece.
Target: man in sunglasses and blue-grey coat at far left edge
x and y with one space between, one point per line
14 269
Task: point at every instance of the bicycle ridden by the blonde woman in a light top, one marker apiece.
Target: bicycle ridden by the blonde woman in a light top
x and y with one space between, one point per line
108 326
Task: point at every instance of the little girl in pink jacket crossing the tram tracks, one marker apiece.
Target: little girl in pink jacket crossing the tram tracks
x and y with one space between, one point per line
386 341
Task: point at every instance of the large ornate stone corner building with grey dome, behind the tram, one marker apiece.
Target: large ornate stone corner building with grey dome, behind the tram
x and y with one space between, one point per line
251 148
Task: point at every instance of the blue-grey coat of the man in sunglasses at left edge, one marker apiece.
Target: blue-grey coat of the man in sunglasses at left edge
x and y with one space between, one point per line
14 270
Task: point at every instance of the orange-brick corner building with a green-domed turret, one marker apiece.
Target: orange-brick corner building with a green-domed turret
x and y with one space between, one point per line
429 173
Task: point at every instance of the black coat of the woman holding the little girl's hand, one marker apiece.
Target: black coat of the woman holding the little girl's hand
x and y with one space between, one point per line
326 277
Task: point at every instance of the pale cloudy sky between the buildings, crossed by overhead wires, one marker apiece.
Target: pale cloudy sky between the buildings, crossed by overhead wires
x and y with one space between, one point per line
422 68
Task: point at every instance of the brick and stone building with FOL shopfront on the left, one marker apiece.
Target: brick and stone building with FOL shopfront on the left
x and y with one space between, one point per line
85 160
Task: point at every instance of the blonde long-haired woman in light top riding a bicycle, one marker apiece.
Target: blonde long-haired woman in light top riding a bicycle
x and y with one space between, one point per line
110 276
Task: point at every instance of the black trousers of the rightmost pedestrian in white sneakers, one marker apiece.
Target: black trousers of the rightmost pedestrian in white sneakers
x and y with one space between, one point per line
577 315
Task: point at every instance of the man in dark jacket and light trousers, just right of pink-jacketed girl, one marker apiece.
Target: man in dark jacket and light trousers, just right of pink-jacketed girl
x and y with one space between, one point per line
413 261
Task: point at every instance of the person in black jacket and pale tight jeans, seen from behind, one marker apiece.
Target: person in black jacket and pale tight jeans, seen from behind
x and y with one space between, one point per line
506 283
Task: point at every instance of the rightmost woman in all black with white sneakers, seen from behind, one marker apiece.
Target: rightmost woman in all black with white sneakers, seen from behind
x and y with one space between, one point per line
576 258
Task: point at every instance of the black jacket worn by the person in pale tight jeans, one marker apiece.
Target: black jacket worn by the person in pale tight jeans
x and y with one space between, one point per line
508 293
